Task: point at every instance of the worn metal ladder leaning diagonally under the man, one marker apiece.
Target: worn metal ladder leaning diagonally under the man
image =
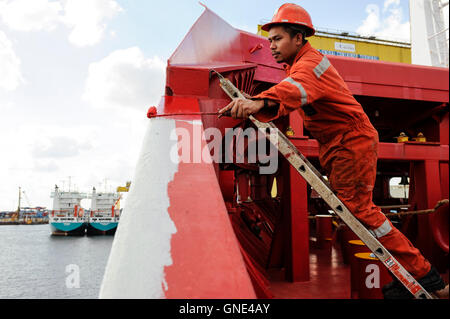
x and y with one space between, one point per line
316 180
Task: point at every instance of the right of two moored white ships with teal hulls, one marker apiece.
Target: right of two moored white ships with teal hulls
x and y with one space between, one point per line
104 213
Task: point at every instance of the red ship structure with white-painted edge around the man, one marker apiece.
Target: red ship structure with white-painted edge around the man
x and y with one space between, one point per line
221 230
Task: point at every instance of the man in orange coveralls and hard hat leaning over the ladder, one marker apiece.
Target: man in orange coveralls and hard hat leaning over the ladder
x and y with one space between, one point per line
347 140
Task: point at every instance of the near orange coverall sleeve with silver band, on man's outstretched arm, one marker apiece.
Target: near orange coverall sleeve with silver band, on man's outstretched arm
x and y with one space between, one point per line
301 87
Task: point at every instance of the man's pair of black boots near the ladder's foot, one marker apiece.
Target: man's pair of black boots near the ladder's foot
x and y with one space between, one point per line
431 282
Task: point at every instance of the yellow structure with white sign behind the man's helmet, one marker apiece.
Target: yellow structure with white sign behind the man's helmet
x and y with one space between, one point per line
356 46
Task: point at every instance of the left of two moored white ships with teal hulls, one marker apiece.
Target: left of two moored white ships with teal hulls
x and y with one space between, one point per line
67 216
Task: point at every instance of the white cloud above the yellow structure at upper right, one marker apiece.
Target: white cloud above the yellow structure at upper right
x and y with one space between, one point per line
387 23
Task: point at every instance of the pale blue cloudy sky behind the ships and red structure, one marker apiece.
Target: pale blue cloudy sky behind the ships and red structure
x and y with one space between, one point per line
78 76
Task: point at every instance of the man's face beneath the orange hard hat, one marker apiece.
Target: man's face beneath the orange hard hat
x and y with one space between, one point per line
284 48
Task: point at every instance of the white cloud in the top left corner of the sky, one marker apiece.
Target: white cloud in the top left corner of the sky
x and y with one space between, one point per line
25 15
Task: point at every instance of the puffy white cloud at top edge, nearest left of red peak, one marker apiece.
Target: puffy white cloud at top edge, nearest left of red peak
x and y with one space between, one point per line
87 18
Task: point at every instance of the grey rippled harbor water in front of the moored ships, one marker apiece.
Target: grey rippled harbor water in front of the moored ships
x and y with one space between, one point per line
36 265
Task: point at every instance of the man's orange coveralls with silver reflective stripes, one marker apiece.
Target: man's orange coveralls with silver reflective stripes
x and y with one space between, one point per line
348 144
